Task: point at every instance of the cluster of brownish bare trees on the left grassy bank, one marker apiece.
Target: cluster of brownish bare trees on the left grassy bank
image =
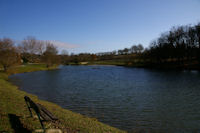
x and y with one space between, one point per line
29 50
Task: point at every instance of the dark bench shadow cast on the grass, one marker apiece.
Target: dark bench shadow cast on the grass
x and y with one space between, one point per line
17 125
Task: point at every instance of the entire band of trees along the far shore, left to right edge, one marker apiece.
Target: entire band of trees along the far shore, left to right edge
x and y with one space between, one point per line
180 46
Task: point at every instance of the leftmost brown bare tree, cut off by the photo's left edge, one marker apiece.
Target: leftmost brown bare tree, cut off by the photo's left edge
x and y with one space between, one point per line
8 53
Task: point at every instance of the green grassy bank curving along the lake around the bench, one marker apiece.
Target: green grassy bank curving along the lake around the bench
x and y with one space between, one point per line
14 114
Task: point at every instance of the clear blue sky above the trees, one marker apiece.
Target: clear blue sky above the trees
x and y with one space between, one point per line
94 25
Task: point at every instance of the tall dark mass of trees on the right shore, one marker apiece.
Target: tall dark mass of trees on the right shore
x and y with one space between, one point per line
180 45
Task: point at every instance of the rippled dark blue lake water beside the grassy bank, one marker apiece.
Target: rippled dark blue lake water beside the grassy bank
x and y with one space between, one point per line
123 97
